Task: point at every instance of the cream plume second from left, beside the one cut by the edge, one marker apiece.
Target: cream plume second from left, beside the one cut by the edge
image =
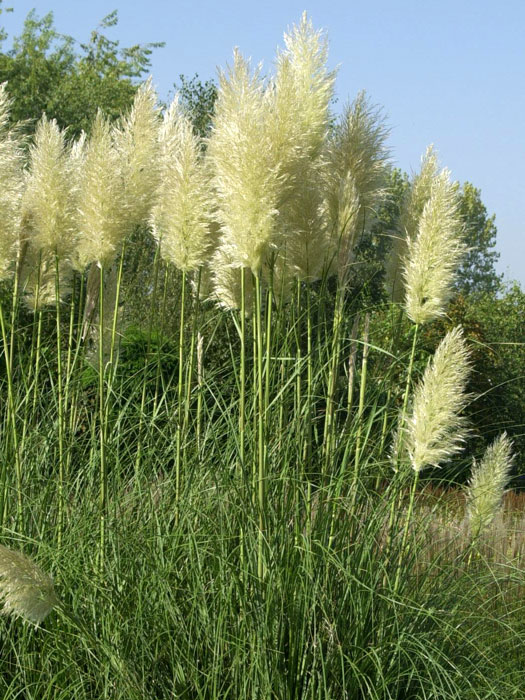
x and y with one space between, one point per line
48 205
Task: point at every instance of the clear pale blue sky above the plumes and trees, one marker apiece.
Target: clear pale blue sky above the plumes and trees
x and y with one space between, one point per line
448 72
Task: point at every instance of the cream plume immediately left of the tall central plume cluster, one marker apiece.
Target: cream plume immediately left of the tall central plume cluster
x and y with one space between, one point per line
180 218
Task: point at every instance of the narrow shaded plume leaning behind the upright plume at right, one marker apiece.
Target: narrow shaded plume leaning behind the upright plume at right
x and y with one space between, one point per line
411 210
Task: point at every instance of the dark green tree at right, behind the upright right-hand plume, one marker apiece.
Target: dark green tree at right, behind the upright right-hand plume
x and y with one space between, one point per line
477 274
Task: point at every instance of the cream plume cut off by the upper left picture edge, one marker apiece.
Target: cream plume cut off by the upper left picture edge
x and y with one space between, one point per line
12 179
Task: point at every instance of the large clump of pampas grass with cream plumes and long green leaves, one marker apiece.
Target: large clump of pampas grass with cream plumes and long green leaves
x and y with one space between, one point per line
240 535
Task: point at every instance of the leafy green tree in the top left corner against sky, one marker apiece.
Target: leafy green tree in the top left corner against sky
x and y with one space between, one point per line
50 72
